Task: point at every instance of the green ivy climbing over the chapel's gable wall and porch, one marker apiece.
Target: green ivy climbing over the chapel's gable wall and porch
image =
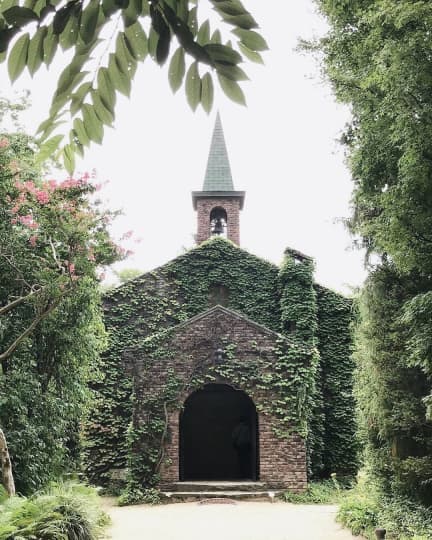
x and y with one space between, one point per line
141 313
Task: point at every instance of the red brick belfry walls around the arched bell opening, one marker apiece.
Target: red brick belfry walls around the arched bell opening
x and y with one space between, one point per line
231 207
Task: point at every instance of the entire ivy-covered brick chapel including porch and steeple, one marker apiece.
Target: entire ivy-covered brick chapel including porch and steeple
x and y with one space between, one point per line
222 366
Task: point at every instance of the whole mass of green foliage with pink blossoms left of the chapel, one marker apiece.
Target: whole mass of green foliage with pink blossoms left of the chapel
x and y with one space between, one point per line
51 241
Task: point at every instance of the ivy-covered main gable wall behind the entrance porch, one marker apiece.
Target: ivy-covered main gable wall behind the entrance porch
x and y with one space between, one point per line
217 272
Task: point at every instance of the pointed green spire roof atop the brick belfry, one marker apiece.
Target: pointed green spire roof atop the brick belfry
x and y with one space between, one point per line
218 173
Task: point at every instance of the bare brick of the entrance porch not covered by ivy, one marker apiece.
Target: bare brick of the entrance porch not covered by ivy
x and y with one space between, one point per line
282 461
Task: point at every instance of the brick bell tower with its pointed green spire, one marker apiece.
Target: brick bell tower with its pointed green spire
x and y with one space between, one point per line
218 205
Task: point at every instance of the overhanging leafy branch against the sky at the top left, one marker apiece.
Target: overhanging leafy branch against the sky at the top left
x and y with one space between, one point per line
120 34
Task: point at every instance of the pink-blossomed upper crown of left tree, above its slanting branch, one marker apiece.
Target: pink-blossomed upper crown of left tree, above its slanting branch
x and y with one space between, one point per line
52 236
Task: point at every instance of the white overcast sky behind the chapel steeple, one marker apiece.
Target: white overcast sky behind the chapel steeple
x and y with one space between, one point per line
282 147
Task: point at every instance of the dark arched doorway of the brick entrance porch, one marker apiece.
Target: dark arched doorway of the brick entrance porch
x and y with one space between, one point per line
218 435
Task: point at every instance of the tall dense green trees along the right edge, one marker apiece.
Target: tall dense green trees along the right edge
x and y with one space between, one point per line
377 56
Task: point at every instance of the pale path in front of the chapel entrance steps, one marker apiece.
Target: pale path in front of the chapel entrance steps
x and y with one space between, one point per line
239 521
